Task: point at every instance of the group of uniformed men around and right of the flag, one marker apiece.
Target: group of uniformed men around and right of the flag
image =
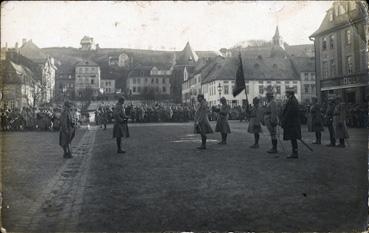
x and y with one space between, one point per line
271 116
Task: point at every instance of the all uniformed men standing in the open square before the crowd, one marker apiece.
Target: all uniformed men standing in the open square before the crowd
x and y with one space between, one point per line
270 116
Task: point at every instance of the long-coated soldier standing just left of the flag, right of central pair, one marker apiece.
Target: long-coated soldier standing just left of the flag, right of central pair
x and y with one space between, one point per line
222 125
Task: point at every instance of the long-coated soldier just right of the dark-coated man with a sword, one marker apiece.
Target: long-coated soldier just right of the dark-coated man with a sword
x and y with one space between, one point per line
316 119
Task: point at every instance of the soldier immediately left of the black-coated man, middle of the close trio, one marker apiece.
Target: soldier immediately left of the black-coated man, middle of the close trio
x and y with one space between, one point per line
271 120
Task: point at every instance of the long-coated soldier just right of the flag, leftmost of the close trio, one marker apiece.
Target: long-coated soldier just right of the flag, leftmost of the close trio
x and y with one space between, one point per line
255 115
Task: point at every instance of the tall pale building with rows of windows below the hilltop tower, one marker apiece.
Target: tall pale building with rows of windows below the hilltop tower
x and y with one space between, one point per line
87 79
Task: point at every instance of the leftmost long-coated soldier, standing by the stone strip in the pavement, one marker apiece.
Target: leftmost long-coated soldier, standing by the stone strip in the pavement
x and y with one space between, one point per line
67 130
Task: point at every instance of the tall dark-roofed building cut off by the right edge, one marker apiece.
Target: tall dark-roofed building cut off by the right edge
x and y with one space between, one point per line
341 52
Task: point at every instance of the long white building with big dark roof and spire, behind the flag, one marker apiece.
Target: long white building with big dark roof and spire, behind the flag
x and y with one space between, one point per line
265 67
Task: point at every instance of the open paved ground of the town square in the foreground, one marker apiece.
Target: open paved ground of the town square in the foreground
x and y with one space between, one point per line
164 183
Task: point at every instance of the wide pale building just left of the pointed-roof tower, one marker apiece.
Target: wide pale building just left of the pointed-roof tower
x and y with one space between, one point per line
149 82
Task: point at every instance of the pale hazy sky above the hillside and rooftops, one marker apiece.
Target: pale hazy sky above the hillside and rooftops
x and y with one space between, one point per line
158 25
